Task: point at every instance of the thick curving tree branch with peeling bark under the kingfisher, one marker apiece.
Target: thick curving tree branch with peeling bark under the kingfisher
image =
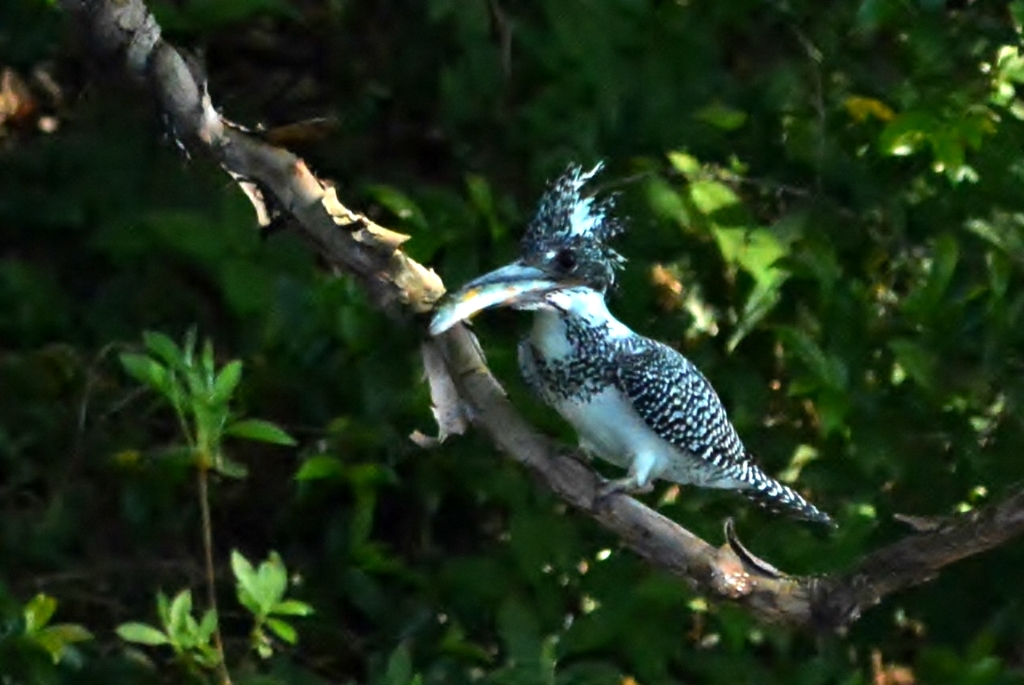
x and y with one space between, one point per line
279 183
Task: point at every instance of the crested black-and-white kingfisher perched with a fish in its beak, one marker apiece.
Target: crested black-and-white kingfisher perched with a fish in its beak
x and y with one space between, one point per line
633 402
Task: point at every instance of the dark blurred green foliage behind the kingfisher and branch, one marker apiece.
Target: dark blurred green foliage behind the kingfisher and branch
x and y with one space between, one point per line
827 215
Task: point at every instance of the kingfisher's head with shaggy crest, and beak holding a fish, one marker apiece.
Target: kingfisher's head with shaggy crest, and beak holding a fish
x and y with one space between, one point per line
565 249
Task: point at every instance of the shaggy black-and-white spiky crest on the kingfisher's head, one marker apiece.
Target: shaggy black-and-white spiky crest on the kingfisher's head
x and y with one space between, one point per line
567 219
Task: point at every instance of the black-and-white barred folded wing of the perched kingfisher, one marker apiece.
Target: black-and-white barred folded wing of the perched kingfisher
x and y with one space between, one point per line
674 399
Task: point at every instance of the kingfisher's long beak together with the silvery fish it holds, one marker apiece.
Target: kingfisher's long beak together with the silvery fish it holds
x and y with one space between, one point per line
517 285
